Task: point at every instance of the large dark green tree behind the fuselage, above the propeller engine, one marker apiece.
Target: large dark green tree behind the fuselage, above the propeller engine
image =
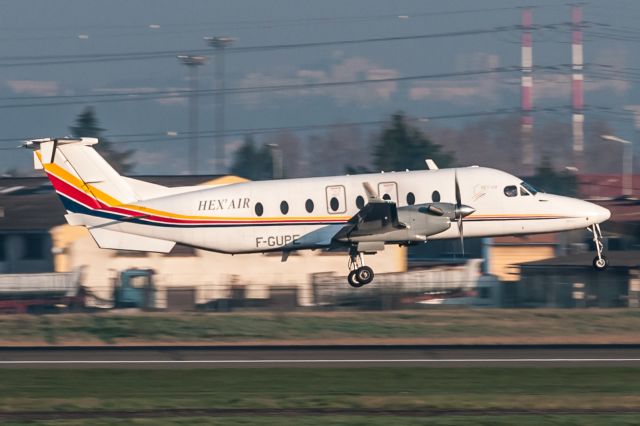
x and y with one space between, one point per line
402 146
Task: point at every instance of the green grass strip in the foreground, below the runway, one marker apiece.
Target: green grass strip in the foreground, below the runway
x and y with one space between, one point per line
606 390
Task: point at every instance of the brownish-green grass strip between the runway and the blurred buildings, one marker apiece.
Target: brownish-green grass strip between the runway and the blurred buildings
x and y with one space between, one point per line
425 326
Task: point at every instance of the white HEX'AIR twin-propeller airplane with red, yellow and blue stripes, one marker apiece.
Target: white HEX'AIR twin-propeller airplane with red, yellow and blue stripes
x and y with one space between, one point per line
359 214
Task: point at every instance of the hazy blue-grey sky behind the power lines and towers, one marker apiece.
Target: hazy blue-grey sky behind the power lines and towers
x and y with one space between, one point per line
38 41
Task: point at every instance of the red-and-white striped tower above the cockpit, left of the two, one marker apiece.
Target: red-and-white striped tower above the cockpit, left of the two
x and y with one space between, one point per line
526 101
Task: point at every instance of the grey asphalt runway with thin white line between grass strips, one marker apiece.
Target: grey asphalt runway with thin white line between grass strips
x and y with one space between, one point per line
320 356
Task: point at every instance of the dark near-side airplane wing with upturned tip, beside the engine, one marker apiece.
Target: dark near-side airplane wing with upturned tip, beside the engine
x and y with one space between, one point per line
378 216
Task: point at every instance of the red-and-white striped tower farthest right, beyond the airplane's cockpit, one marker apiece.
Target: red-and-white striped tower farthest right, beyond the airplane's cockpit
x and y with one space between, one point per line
577 96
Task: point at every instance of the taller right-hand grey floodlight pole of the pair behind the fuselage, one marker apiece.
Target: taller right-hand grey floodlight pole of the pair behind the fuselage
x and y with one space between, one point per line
219 44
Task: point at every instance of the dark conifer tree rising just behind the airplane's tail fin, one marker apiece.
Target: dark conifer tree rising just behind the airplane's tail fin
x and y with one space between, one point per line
87 125
